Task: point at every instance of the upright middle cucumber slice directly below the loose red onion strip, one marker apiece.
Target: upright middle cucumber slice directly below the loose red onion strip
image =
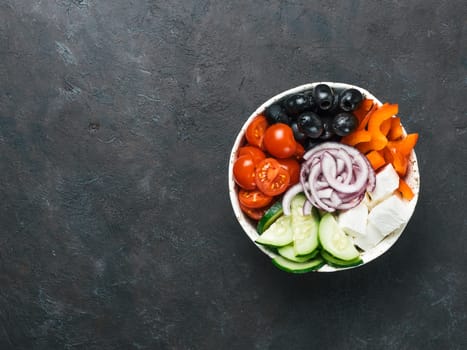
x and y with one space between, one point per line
305 232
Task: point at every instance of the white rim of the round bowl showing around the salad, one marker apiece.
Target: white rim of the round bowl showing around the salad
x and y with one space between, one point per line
249 226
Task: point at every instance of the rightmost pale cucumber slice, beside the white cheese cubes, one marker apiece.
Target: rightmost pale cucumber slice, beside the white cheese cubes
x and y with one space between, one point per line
334 240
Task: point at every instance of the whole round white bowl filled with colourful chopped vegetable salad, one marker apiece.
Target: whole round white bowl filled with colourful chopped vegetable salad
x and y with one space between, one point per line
324 177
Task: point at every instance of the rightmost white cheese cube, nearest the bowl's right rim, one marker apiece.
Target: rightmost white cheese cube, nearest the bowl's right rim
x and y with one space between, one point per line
389 215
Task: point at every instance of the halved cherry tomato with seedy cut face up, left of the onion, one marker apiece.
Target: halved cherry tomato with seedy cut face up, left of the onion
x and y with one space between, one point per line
271 178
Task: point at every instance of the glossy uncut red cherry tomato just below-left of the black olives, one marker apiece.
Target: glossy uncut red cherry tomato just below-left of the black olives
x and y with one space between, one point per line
279 141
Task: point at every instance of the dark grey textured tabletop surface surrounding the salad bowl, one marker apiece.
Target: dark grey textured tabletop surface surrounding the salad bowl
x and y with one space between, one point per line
116 123
